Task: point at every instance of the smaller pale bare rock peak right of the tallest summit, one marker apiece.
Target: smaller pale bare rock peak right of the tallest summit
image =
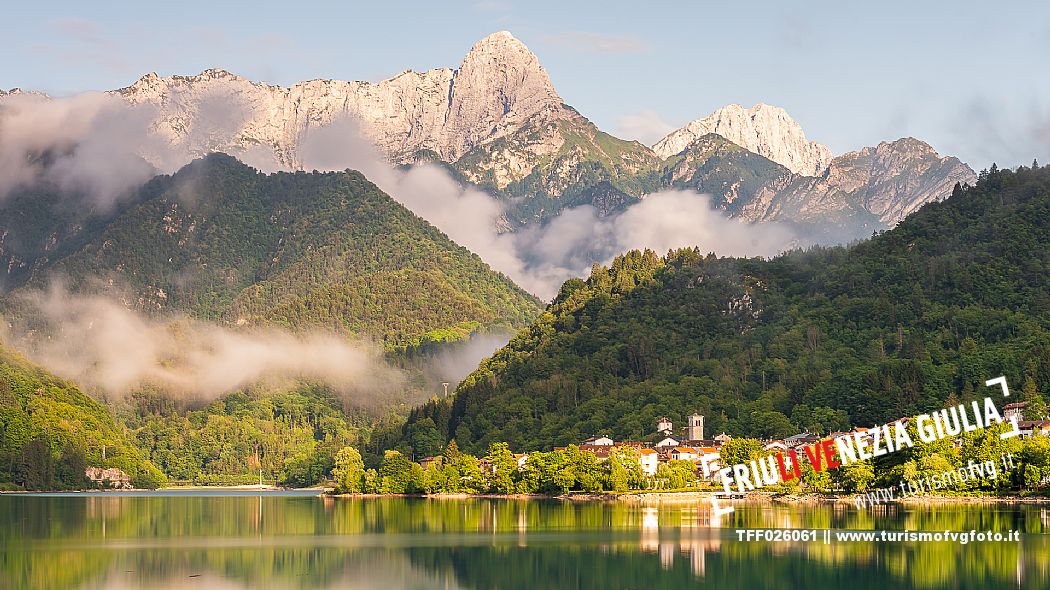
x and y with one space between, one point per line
765 130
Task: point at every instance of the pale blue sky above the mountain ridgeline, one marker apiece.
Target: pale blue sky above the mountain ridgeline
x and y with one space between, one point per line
969 78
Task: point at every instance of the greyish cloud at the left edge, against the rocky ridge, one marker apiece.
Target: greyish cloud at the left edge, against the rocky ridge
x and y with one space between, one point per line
102 147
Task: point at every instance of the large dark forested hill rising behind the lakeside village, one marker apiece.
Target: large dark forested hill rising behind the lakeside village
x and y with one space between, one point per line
814 341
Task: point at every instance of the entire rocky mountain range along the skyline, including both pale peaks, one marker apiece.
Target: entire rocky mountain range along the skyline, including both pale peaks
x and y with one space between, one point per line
498 122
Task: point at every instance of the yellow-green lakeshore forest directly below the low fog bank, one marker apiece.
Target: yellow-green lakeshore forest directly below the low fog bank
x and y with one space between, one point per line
286 437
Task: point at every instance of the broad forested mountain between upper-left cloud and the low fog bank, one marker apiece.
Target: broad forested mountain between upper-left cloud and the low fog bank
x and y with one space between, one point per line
223 242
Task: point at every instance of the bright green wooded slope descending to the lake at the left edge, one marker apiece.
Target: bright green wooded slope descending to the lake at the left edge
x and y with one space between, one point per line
51 432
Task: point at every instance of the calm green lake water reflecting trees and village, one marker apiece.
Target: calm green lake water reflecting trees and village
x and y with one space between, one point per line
295 541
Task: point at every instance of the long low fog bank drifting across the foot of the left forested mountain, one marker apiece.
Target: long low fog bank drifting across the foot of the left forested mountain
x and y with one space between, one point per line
106 347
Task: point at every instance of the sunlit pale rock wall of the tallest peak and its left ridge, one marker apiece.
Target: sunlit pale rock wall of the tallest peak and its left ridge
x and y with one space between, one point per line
499 86
